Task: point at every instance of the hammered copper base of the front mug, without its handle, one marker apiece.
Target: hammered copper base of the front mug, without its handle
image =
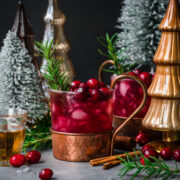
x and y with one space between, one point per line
80 147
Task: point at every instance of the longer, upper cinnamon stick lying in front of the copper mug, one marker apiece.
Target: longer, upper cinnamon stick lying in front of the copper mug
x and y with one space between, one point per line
98 161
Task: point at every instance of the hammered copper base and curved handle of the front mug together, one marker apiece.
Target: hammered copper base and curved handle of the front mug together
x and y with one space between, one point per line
84 147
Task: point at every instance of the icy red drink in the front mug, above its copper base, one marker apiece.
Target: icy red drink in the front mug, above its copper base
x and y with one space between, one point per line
71 114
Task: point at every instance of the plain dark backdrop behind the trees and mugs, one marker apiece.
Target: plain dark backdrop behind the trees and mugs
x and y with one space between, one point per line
86 20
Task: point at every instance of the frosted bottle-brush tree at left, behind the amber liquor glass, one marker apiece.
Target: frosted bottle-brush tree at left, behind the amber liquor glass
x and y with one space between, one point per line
19 82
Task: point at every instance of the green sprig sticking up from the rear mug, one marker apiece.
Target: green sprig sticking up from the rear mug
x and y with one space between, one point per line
120 65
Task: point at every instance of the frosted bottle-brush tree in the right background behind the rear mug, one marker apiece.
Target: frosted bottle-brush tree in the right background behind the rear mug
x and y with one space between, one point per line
138 28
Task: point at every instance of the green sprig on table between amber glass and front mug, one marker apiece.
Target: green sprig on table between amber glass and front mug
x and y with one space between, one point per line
39 136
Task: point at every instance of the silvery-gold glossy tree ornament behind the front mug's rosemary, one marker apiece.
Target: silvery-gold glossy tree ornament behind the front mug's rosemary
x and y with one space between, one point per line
54 29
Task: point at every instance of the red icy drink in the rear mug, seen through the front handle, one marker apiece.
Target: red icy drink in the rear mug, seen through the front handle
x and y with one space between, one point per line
127 97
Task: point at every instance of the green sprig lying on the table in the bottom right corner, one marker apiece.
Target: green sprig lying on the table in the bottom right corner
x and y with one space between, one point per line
157 169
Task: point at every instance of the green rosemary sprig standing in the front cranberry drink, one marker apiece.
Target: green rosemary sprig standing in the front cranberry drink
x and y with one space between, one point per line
55 78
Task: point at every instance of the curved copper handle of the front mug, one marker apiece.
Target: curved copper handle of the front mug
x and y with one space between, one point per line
115 80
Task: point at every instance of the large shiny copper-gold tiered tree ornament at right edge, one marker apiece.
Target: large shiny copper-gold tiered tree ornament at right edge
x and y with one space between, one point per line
164 112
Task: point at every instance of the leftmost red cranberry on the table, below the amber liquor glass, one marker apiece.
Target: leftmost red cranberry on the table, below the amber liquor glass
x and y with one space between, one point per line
17 160
